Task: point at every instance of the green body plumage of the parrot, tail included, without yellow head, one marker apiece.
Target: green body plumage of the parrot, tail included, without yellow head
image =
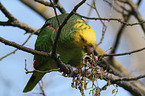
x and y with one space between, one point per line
69 52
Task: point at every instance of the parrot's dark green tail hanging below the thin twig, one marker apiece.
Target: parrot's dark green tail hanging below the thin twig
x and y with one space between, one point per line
35 78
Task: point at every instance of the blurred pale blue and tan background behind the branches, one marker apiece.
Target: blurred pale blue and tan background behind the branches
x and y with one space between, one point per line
12 73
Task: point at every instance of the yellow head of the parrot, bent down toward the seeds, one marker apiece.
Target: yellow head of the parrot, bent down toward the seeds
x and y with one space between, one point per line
85 36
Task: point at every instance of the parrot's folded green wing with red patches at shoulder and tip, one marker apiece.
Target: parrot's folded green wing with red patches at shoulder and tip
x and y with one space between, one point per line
44 43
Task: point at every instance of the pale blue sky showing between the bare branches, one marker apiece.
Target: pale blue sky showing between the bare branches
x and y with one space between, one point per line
13 78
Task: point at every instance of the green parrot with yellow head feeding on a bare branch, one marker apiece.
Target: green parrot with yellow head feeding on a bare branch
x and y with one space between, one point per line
76 40
